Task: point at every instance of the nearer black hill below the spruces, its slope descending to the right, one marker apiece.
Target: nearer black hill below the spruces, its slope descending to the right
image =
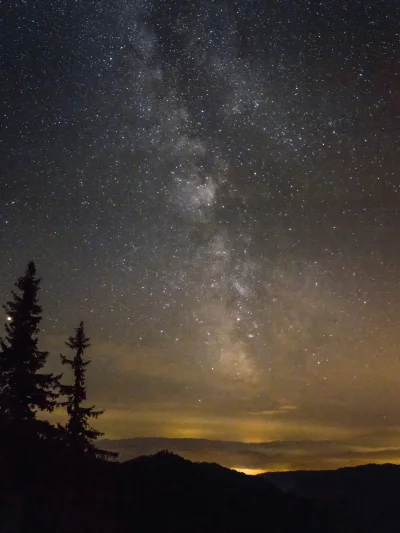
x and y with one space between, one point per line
163 492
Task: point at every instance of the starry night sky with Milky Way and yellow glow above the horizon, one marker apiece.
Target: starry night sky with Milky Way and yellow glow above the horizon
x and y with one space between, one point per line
213 187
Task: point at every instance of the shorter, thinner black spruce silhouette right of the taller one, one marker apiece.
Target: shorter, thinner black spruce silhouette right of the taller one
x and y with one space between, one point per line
80 434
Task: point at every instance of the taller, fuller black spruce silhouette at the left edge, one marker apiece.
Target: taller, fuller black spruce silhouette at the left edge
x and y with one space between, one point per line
24 390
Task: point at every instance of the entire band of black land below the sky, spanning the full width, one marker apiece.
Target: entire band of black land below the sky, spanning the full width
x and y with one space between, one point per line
165 493
